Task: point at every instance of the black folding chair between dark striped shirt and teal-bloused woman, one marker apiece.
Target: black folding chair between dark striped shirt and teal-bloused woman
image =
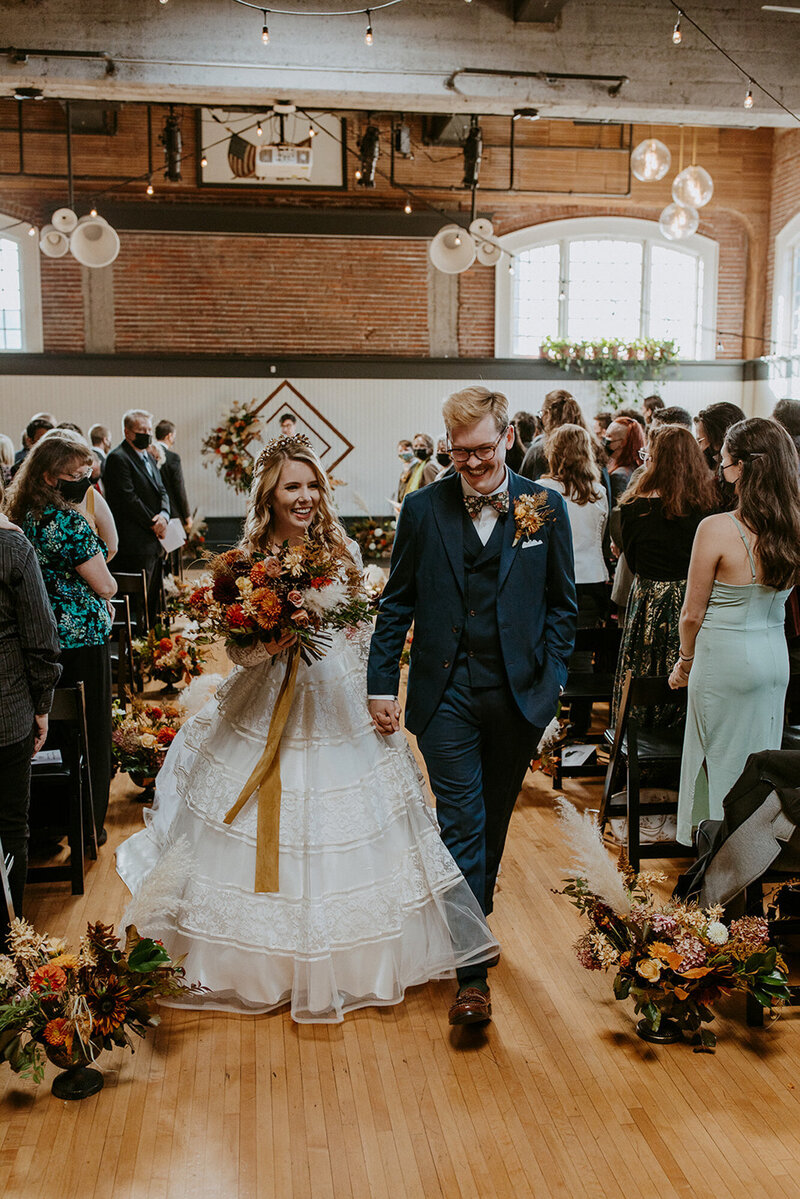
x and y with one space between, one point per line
62 792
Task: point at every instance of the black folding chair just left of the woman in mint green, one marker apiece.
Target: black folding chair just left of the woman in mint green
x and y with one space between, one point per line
631 749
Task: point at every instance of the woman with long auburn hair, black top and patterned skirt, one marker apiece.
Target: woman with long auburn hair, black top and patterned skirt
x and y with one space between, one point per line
660 514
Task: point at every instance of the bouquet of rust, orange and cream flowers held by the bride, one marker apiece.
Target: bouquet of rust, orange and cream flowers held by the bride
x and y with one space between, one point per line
308 589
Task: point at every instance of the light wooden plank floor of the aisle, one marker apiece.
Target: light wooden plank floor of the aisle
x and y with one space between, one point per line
558 1098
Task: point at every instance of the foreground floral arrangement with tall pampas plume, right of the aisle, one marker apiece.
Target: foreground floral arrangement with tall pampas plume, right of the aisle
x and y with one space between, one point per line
676 961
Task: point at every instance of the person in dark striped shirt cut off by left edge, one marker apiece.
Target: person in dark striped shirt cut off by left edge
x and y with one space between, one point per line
29 671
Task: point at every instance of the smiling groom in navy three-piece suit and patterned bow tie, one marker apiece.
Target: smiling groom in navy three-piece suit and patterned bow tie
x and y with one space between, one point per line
488 579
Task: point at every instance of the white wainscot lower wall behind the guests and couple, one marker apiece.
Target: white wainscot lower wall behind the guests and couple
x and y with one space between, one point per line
372 414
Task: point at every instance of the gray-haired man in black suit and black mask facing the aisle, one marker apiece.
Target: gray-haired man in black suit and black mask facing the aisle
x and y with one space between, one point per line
140 504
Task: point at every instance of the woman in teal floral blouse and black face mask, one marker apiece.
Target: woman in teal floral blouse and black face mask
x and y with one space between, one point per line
45 501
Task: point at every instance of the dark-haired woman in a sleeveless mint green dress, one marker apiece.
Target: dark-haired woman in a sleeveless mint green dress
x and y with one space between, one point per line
733 652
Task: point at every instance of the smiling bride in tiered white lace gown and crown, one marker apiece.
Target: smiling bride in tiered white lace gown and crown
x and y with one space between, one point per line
370 901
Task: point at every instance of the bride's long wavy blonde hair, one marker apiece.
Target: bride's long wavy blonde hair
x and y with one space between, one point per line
258 533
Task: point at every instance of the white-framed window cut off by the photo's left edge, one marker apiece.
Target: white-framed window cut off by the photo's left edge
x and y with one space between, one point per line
21 300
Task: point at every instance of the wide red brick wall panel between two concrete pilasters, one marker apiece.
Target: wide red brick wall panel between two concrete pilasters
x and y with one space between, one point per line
306 296
